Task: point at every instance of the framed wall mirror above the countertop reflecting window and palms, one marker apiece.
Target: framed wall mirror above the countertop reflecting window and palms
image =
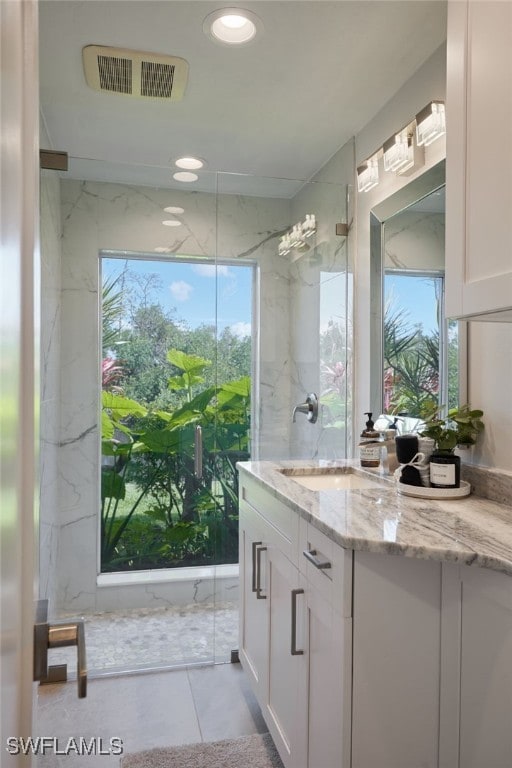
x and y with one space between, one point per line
416 353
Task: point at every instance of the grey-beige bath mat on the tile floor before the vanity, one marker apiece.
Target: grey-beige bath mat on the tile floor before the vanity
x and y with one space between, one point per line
256 751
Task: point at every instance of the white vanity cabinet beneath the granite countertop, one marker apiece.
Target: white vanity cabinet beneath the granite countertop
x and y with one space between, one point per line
362 659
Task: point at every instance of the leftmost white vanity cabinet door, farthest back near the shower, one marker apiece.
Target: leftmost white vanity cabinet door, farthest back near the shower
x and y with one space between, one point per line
253 625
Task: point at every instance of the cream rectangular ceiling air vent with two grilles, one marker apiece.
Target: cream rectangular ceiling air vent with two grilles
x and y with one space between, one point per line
134 73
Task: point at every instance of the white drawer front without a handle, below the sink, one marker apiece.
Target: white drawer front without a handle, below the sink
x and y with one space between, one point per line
283 521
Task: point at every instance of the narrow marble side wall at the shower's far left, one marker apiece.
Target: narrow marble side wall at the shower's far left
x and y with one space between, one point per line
50 230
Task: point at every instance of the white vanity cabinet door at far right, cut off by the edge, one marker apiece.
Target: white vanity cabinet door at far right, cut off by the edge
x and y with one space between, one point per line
486 670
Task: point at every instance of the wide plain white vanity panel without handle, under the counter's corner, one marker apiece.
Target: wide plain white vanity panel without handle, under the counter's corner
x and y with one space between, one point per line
396 662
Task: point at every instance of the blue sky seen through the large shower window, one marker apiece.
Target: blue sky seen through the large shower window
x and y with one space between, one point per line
191 290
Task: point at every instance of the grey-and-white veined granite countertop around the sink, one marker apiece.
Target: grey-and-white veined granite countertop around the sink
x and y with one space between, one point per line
469 531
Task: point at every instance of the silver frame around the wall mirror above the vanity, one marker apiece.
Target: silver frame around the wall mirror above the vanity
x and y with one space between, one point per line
399 201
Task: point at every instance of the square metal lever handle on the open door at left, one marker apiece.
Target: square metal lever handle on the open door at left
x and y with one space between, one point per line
58 636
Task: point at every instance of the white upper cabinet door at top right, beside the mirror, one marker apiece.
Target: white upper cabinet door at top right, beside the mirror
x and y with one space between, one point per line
489 156
